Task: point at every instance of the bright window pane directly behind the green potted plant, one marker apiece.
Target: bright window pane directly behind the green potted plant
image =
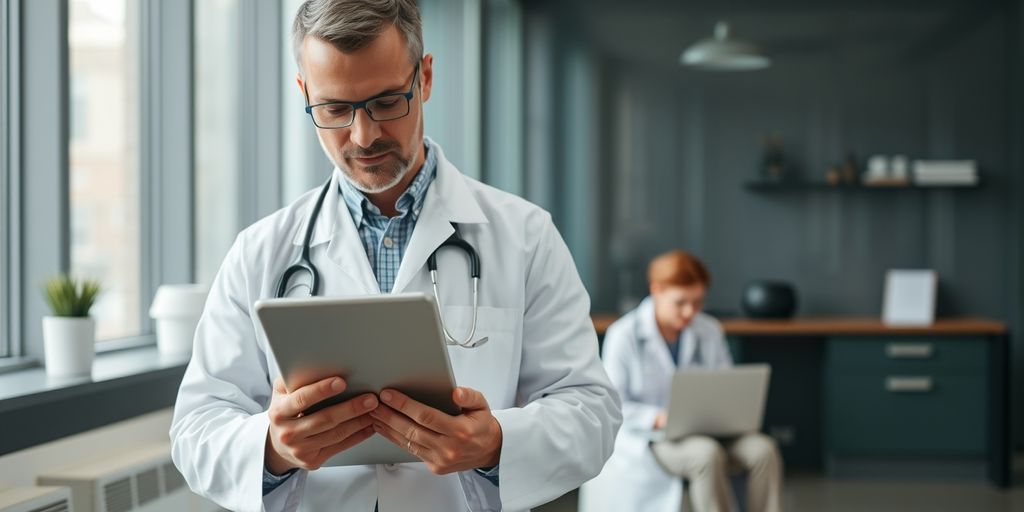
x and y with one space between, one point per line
104 180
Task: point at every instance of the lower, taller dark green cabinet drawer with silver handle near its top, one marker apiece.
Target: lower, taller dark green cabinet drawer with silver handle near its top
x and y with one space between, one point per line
907 415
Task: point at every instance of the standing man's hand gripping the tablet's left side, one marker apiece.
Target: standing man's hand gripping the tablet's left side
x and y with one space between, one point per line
295 441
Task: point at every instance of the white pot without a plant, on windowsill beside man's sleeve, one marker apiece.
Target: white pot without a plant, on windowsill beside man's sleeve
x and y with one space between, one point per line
177 310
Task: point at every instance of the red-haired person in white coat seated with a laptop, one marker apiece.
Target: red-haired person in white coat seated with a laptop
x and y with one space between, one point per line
643 351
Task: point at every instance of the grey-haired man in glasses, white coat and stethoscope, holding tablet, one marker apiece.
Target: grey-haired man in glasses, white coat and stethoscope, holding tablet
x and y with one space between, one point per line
540 414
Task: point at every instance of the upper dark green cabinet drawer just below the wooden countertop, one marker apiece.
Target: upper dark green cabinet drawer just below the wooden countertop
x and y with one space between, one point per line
909 355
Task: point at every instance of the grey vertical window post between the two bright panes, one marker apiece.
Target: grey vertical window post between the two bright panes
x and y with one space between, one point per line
166 151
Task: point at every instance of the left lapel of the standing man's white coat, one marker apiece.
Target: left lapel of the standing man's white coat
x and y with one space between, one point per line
346 249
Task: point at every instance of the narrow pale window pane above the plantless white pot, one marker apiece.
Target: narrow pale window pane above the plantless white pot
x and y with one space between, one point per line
217 135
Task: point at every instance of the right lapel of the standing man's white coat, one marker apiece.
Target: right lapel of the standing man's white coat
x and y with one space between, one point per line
449 200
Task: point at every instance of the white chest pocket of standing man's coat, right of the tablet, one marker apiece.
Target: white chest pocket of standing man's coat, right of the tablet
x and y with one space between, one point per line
494 367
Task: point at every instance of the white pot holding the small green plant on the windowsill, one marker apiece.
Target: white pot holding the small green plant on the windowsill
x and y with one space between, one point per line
69 346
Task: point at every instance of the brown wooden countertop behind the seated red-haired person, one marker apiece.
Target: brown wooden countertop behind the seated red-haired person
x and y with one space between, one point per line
840 326
